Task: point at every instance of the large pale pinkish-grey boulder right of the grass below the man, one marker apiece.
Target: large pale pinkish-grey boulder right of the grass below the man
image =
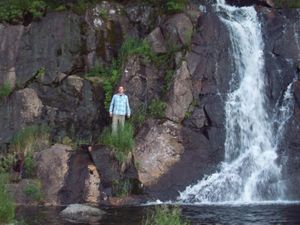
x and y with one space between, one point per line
158 147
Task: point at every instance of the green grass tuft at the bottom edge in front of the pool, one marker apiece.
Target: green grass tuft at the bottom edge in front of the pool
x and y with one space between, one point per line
163 215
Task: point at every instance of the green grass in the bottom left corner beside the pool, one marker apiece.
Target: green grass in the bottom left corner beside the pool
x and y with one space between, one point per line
7 207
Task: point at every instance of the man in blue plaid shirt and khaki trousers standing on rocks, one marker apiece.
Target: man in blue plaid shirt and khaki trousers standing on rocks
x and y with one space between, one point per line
119 108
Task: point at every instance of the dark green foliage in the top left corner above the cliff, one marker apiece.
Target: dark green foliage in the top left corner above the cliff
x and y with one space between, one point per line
16 10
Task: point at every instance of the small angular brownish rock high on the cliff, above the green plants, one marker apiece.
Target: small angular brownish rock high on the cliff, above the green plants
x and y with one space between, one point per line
156 40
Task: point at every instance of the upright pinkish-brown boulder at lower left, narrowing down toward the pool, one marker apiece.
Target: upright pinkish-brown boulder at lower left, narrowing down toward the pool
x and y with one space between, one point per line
52 168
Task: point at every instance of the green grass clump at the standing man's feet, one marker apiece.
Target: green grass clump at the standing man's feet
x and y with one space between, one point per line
121 142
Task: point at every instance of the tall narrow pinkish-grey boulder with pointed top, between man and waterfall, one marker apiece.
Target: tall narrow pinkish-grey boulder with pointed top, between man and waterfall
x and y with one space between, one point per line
180 95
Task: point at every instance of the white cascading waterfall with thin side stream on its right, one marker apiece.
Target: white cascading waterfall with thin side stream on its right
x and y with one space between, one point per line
249 172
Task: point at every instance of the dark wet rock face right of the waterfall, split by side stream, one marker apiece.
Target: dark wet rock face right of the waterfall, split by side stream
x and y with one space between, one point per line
281 30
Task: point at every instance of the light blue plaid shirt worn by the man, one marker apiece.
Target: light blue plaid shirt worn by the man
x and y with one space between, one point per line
119 105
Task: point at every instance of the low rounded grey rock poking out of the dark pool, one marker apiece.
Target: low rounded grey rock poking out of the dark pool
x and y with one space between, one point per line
82 213
